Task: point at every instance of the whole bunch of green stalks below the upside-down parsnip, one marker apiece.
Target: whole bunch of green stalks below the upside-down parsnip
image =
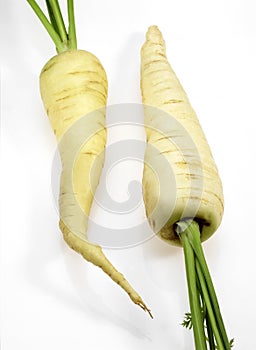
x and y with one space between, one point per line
189 233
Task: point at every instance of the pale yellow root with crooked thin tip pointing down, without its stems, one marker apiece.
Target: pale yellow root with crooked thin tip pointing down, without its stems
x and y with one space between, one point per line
73 87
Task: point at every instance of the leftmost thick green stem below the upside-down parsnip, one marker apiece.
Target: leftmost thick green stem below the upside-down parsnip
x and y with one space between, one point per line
197 320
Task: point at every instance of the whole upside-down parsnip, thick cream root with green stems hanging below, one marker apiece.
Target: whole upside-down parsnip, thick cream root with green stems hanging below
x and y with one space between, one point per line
189 209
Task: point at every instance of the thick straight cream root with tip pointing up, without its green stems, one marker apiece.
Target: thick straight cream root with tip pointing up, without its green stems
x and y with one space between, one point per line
193 187
